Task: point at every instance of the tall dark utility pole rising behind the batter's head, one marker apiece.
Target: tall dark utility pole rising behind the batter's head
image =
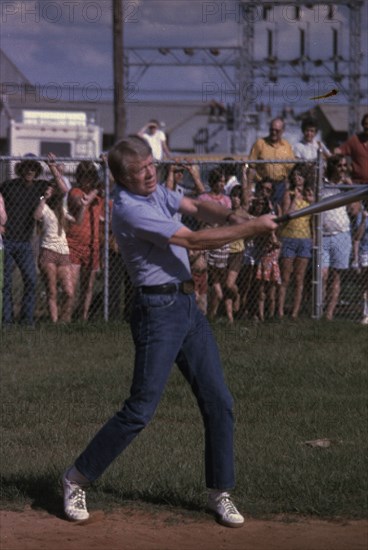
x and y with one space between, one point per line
119 104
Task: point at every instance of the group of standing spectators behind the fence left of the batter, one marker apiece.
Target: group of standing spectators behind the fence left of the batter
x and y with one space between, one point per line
52 230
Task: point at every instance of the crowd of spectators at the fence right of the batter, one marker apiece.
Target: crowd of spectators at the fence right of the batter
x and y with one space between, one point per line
251 279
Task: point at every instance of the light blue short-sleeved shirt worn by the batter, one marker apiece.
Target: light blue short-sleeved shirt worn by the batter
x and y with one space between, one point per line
142 227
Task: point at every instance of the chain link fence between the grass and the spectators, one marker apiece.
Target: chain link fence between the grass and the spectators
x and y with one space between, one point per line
60 259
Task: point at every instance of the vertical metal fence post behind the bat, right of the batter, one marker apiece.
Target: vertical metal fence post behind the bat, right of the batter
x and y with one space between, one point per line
317 283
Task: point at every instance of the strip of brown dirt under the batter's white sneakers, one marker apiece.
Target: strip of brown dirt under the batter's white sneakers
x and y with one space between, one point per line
142 530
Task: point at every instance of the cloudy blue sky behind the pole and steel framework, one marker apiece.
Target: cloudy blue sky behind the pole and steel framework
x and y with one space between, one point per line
69 41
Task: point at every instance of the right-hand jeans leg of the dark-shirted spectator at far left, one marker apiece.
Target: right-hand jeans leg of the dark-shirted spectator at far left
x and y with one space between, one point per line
26 263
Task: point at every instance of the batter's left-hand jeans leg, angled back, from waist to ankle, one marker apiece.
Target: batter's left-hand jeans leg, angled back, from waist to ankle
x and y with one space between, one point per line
159 325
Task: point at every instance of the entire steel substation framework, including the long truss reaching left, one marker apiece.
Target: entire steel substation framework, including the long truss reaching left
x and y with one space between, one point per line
243 72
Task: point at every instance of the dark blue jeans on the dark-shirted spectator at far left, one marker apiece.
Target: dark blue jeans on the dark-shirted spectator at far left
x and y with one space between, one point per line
21 254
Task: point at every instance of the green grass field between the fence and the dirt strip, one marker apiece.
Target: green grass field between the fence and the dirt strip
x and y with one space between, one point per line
291 383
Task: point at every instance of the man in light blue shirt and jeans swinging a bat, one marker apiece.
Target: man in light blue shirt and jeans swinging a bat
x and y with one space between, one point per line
167 325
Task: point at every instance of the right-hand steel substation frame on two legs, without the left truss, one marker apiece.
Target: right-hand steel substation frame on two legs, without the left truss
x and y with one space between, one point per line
344 71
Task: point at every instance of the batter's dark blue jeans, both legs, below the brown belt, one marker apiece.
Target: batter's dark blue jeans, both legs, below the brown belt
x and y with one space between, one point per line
167 329
